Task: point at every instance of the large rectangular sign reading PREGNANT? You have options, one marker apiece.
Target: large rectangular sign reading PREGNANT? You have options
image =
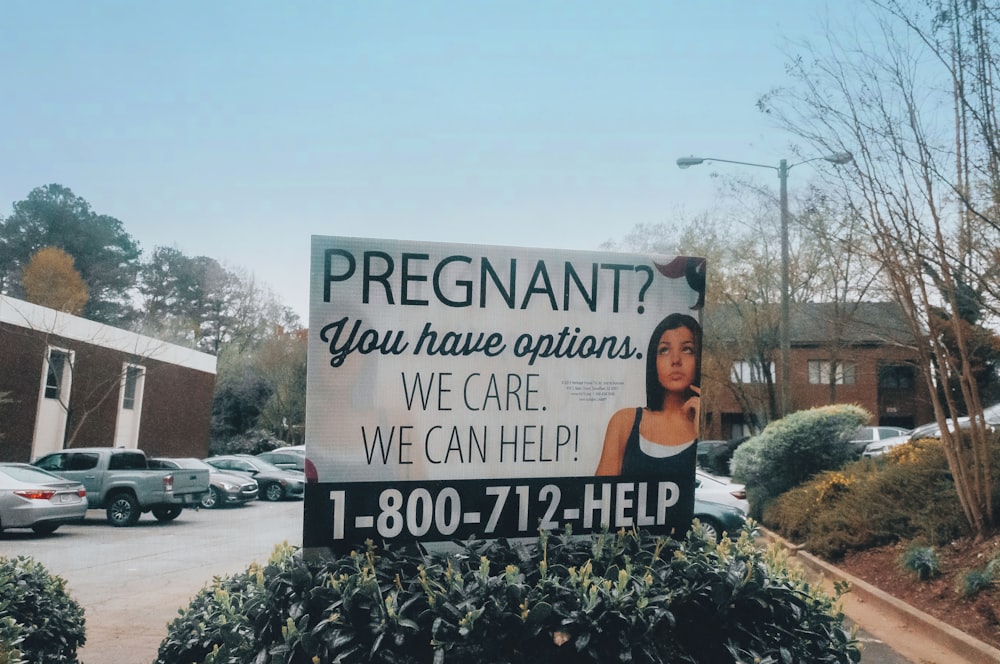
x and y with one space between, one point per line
466 390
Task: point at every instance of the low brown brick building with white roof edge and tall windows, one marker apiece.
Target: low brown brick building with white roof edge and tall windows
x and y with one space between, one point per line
69 382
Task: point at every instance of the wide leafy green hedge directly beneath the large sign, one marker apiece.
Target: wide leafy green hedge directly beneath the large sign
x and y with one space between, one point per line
624 597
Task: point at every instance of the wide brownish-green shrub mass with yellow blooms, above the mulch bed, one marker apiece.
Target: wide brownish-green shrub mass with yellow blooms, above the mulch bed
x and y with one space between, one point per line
906 495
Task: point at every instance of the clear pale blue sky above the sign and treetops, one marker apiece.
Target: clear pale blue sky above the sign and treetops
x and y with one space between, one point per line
237 130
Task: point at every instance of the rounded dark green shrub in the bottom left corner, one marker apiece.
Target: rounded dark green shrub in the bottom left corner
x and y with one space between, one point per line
51 622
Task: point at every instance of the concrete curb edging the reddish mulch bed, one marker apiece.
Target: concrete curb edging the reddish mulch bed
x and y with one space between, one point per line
890 608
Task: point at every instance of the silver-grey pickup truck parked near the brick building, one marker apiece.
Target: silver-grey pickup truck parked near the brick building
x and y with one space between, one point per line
121 482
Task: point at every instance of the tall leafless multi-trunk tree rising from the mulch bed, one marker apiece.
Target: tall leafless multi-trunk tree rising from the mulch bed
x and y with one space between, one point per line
913 100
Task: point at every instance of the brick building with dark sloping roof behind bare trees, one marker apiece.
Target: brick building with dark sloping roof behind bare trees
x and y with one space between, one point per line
863 353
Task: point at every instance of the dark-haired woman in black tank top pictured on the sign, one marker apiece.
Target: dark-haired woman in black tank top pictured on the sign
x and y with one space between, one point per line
660 439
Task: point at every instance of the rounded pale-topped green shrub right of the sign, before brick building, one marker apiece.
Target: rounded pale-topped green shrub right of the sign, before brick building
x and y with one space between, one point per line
791 450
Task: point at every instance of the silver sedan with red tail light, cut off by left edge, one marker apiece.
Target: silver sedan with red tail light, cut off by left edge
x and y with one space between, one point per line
33 498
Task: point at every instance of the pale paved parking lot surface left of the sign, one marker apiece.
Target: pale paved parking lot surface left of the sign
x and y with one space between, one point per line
132 581
